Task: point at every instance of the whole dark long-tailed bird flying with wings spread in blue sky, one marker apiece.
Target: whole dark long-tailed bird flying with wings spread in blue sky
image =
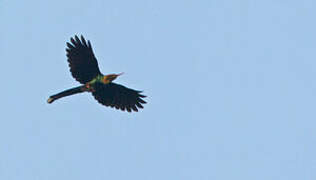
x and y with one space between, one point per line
85 69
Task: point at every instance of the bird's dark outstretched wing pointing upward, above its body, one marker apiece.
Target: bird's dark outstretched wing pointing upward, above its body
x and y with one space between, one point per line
82 62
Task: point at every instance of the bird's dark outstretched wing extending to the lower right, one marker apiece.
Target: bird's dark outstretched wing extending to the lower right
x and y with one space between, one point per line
118 96
